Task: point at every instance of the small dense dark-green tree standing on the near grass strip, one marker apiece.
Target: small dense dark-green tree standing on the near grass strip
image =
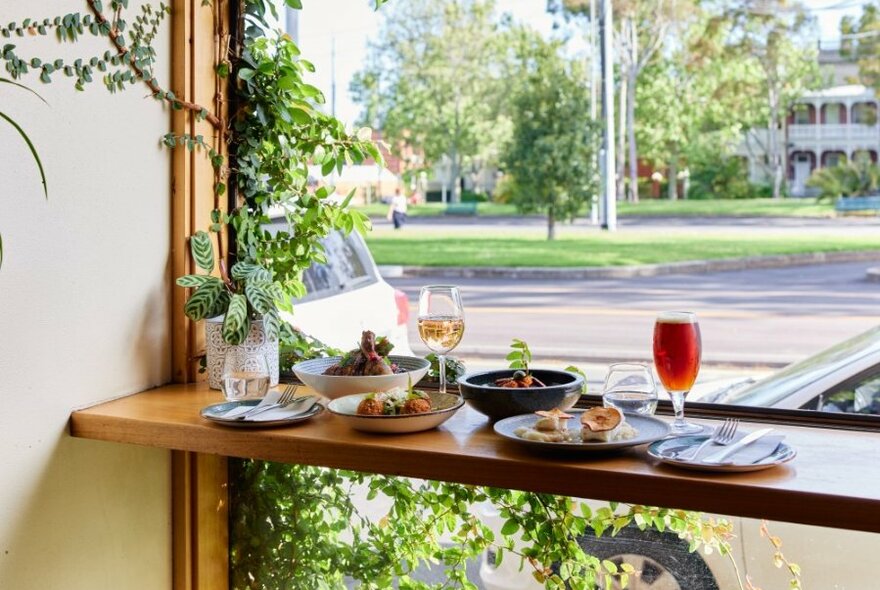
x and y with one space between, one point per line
551 151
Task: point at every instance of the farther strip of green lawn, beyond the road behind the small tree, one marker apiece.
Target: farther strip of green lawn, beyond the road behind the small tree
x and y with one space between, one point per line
657 208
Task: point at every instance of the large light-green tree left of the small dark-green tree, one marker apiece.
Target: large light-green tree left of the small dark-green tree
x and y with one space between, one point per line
434 79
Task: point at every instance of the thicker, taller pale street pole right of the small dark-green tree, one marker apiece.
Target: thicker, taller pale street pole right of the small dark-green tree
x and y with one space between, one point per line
608 208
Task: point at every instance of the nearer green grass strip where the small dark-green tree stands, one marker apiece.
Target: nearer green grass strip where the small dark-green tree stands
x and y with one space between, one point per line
595 250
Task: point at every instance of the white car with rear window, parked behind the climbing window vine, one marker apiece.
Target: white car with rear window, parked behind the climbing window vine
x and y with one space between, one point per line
347 295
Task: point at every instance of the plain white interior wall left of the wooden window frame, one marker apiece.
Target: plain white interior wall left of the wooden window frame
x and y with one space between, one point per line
84 296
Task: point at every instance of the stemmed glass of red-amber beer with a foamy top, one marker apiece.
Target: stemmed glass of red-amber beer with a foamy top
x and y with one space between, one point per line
677 351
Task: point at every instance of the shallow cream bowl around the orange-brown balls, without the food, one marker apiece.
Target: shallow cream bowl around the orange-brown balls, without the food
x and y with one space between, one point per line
444 406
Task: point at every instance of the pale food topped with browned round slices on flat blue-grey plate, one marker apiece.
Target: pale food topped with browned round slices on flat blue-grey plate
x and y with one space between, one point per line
597 425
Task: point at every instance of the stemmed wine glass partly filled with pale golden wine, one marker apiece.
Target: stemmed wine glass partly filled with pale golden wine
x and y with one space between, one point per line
441 322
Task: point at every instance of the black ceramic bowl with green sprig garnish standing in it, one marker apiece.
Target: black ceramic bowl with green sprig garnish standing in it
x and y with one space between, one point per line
479 390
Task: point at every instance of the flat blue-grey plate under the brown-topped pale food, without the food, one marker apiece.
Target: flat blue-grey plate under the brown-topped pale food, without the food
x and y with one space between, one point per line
649 430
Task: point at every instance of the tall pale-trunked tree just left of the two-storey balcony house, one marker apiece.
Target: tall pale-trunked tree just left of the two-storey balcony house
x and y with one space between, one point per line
772 36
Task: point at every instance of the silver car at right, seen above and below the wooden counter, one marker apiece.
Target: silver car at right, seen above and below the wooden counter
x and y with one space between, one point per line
843 378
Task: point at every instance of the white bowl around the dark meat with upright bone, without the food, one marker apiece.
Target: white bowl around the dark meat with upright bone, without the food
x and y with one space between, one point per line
312 374
